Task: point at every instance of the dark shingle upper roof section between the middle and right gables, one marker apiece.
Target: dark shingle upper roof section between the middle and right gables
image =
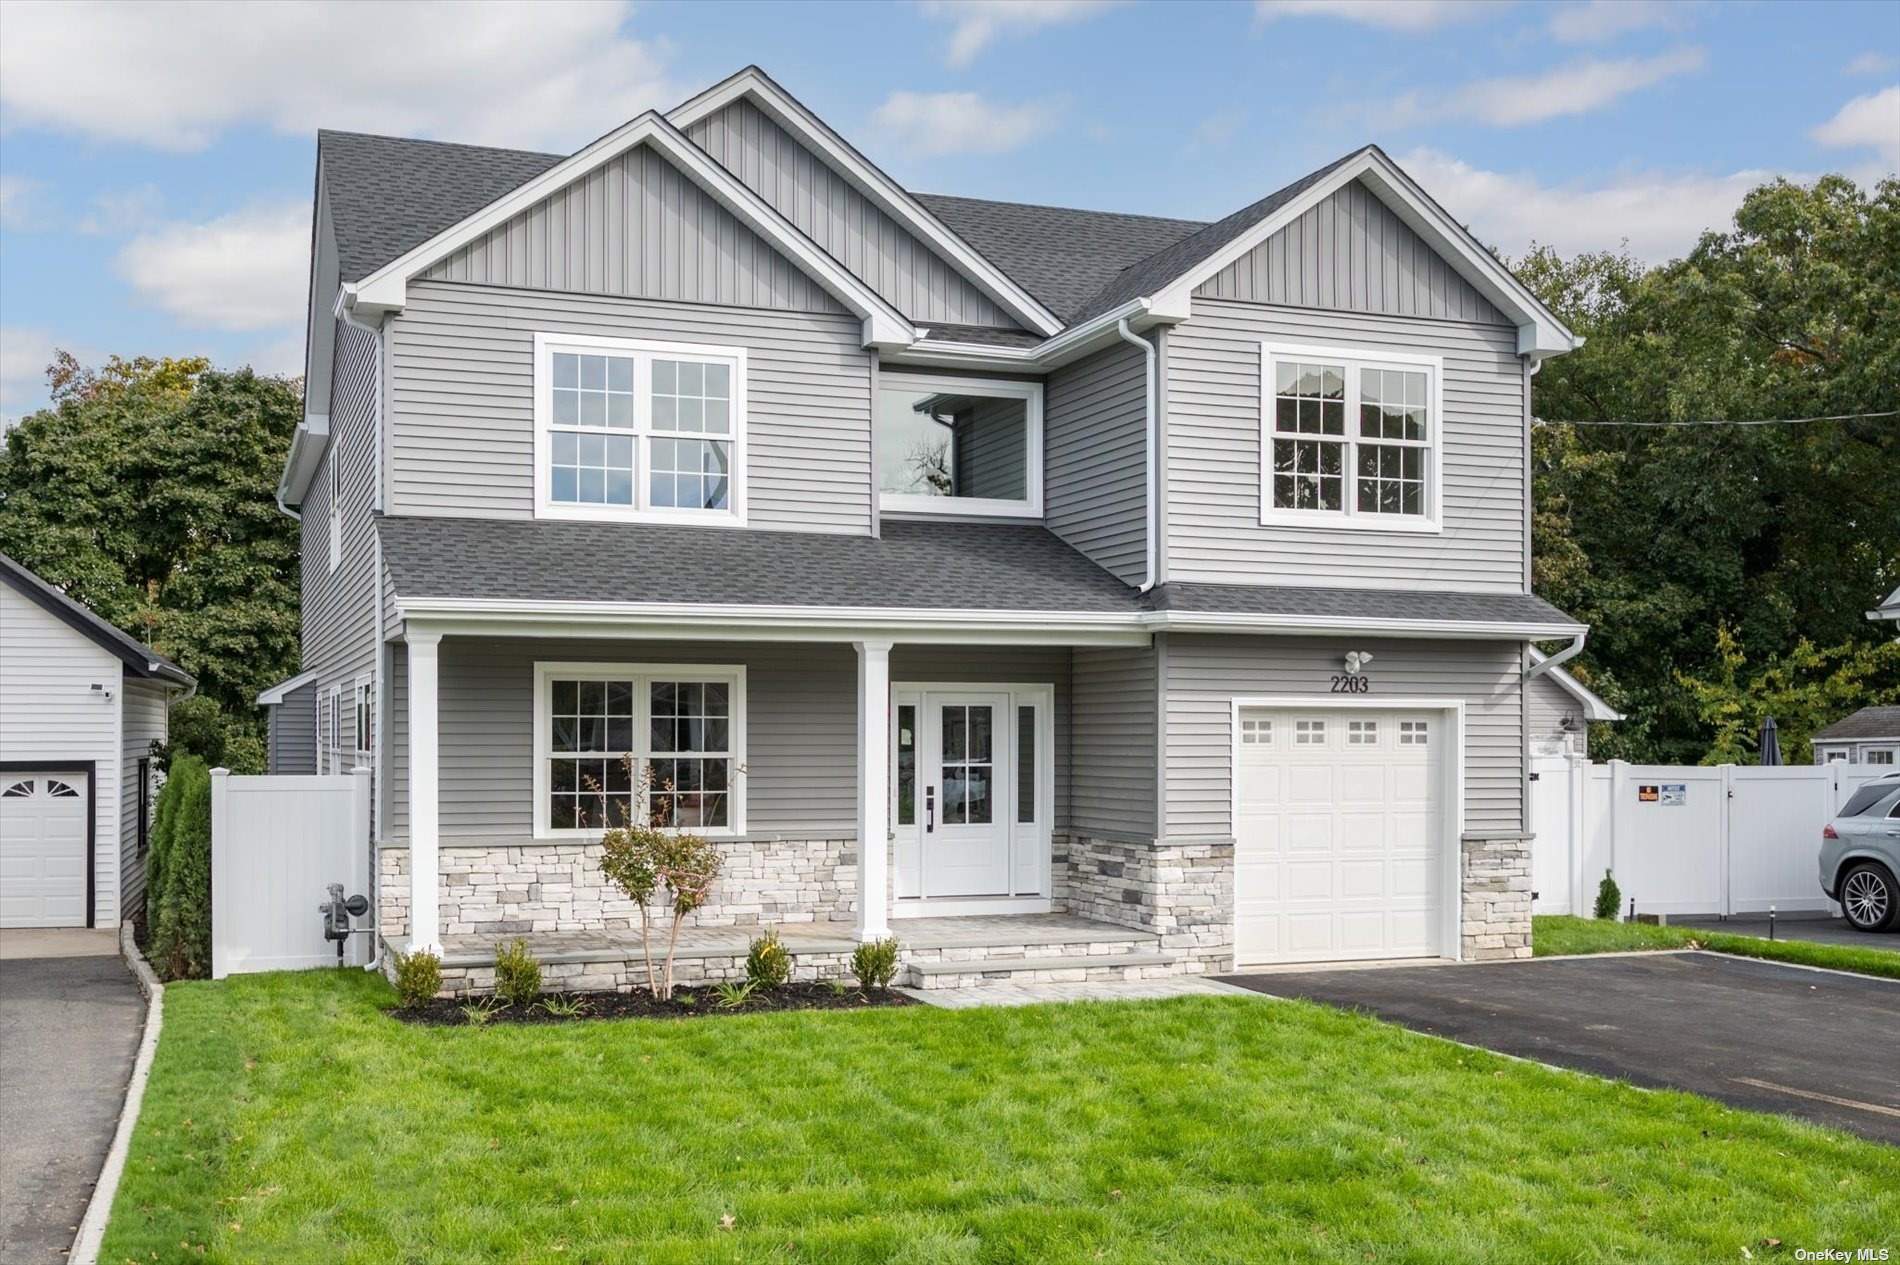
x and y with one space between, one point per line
1057 254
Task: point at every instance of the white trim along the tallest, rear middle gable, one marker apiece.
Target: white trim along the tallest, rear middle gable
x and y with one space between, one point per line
884 193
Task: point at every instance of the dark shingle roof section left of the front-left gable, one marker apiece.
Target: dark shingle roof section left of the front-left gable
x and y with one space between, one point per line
390 195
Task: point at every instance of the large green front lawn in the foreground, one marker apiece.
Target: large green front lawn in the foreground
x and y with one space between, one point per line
288 1120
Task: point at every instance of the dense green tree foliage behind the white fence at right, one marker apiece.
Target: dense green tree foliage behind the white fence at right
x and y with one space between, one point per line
1681 546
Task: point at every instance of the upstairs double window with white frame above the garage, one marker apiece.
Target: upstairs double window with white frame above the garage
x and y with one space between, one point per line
1350 440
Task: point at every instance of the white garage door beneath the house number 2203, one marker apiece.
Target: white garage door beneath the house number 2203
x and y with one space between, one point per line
1339 837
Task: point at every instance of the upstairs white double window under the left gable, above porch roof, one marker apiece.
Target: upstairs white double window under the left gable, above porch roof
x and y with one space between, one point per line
639 430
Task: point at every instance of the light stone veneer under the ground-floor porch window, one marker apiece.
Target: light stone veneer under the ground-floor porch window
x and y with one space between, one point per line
527 888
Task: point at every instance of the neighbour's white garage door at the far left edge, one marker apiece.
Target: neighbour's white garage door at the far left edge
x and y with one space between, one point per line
43 850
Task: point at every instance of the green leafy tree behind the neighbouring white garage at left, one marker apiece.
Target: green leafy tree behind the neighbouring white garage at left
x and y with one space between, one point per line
149 493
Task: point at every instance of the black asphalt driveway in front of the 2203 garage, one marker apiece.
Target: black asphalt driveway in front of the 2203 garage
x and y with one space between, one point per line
1755 1034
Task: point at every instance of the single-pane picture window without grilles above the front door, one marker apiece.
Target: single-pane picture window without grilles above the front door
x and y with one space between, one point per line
960 445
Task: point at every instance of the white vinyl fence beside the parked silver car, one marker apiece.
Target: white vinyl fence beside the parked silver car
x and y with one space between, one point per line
1684 839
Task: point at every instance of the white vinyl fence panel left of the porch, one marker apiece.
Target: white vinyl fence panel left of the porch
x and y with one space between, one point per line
276 844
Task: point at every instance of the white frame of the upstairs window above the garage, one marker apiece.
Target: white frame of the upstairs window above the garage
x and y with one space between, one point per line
1348 516
